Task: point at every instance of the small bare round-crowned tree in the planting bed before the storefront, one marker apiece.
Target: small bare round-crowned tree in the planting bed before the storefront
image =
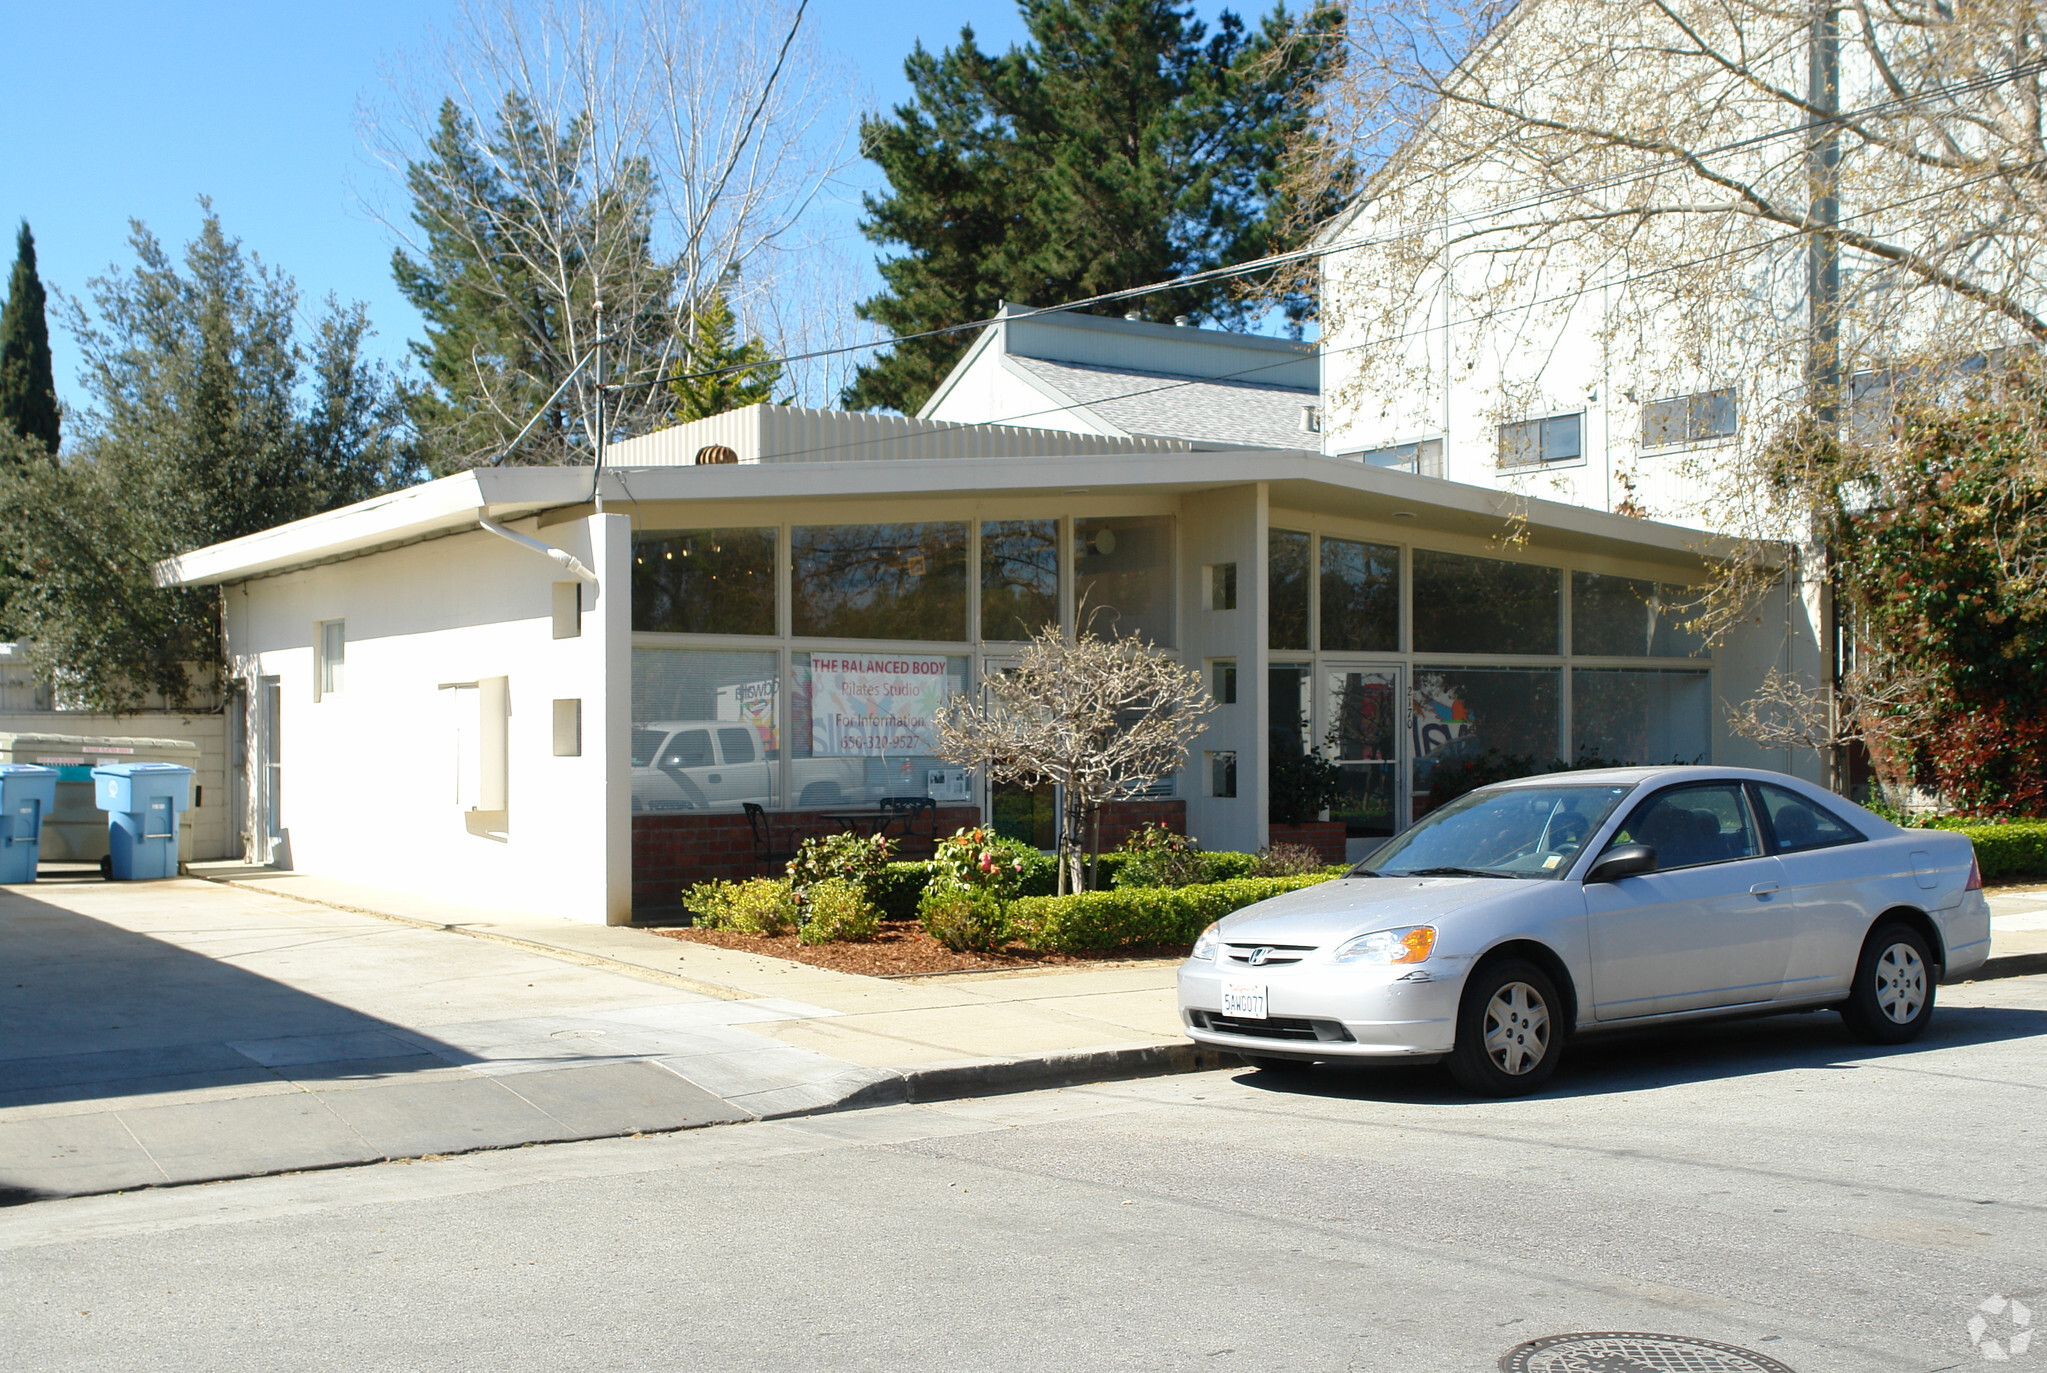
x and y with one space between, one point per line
1098 717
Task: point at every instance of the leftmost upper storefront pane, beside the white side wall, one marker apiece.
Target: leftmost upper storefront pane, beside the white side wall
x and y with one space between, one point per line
705 582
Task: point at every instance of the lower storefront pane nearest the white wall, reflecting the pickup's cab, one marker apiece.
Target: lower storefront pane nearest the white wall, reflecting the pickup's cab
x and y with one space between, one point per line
703 729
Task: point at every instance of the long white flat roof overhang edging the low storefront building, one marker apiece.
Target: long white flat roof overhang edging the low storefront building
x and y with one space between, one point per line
1305 482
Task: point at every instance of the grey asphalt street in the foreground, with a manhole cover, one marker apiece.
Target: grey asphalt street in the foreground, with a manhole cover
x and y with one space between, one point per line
1770 1186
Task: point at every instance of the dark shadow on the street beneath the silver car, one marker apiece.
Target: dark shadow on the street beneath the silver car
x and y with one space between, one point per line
1669 1057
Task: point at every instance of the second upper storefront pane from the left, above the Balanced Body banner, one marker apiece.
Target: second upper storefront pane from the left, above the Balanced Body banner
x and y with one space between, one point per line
879 582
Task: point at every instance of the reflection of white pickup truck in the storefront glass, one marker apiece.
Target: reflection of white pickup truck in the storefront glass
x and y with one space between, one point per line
720 766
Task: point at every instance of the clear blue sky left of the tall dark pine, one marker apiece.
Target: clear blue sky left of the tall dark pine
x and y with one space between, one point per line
120 112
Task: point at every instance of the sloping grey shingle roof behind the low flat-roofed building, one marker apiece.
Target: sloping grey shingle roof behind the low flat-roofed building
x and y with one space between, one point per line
1192 408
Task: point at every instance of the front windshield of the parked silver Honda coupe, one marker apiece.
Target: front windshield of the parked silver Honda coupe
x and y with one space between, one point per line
1522 832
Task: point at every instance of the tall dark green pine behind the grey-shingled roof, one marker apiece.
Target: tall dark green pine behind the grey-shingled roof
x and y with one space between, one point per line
1121 146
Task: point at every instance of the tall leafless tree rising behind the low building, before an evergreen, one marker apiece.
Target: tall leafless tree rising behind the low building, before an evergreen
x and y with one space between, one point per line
646 152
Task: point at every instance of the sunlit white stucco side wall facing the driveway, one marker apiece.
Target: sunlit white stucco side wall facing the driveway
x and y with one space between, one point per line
369 772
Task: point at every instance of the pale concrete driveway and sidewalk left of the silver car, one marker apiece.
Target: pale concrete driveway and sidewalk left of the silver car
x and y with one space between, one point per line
185 1030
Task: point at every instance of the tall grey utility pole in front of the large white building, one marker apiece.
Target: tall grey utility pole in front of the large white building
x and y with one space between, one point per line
1823 306
